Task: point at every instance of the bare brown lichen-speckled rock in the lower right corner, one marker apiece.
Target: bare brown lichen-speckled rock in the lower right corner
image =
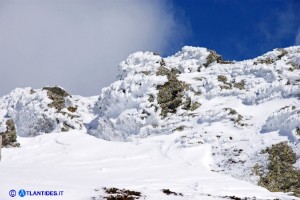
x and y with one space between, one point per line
282 176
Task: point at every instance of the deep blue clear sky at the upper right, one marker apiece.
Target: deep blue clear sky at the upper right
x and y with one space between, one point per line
240 29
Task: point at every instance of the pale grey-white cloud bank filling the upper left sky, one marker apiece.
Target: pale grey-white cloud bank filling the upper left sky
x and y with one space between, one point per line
78 43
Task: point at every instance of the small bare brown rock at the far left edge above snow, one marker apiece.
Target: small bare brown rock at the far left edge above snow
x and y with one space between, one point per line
9 137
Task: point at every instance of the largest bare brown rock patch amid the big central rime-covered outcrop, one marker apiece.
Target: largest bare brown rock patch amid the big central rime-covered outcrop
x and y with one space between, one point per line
170 94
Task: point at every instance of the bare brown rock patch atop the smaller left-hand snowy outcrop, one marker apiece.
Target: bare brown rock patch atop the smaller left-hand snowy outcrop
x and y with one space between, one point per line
57 95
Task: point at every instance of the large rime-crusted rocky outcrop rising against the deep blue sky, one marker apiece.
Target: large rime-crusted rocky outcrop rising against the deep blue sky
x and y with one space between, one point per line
241 108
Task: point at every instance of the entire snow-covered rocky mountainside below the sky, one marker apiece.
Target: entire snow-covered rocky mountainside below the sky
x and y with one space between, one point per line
191 125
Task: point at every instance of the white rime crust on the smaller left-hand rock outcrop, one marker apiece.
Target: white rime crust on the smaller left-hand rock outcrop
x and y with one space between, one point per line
32 115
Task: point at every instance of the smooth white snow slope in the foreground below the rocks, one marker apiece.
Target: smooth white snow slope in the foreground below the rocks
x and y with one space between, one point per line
77 164
